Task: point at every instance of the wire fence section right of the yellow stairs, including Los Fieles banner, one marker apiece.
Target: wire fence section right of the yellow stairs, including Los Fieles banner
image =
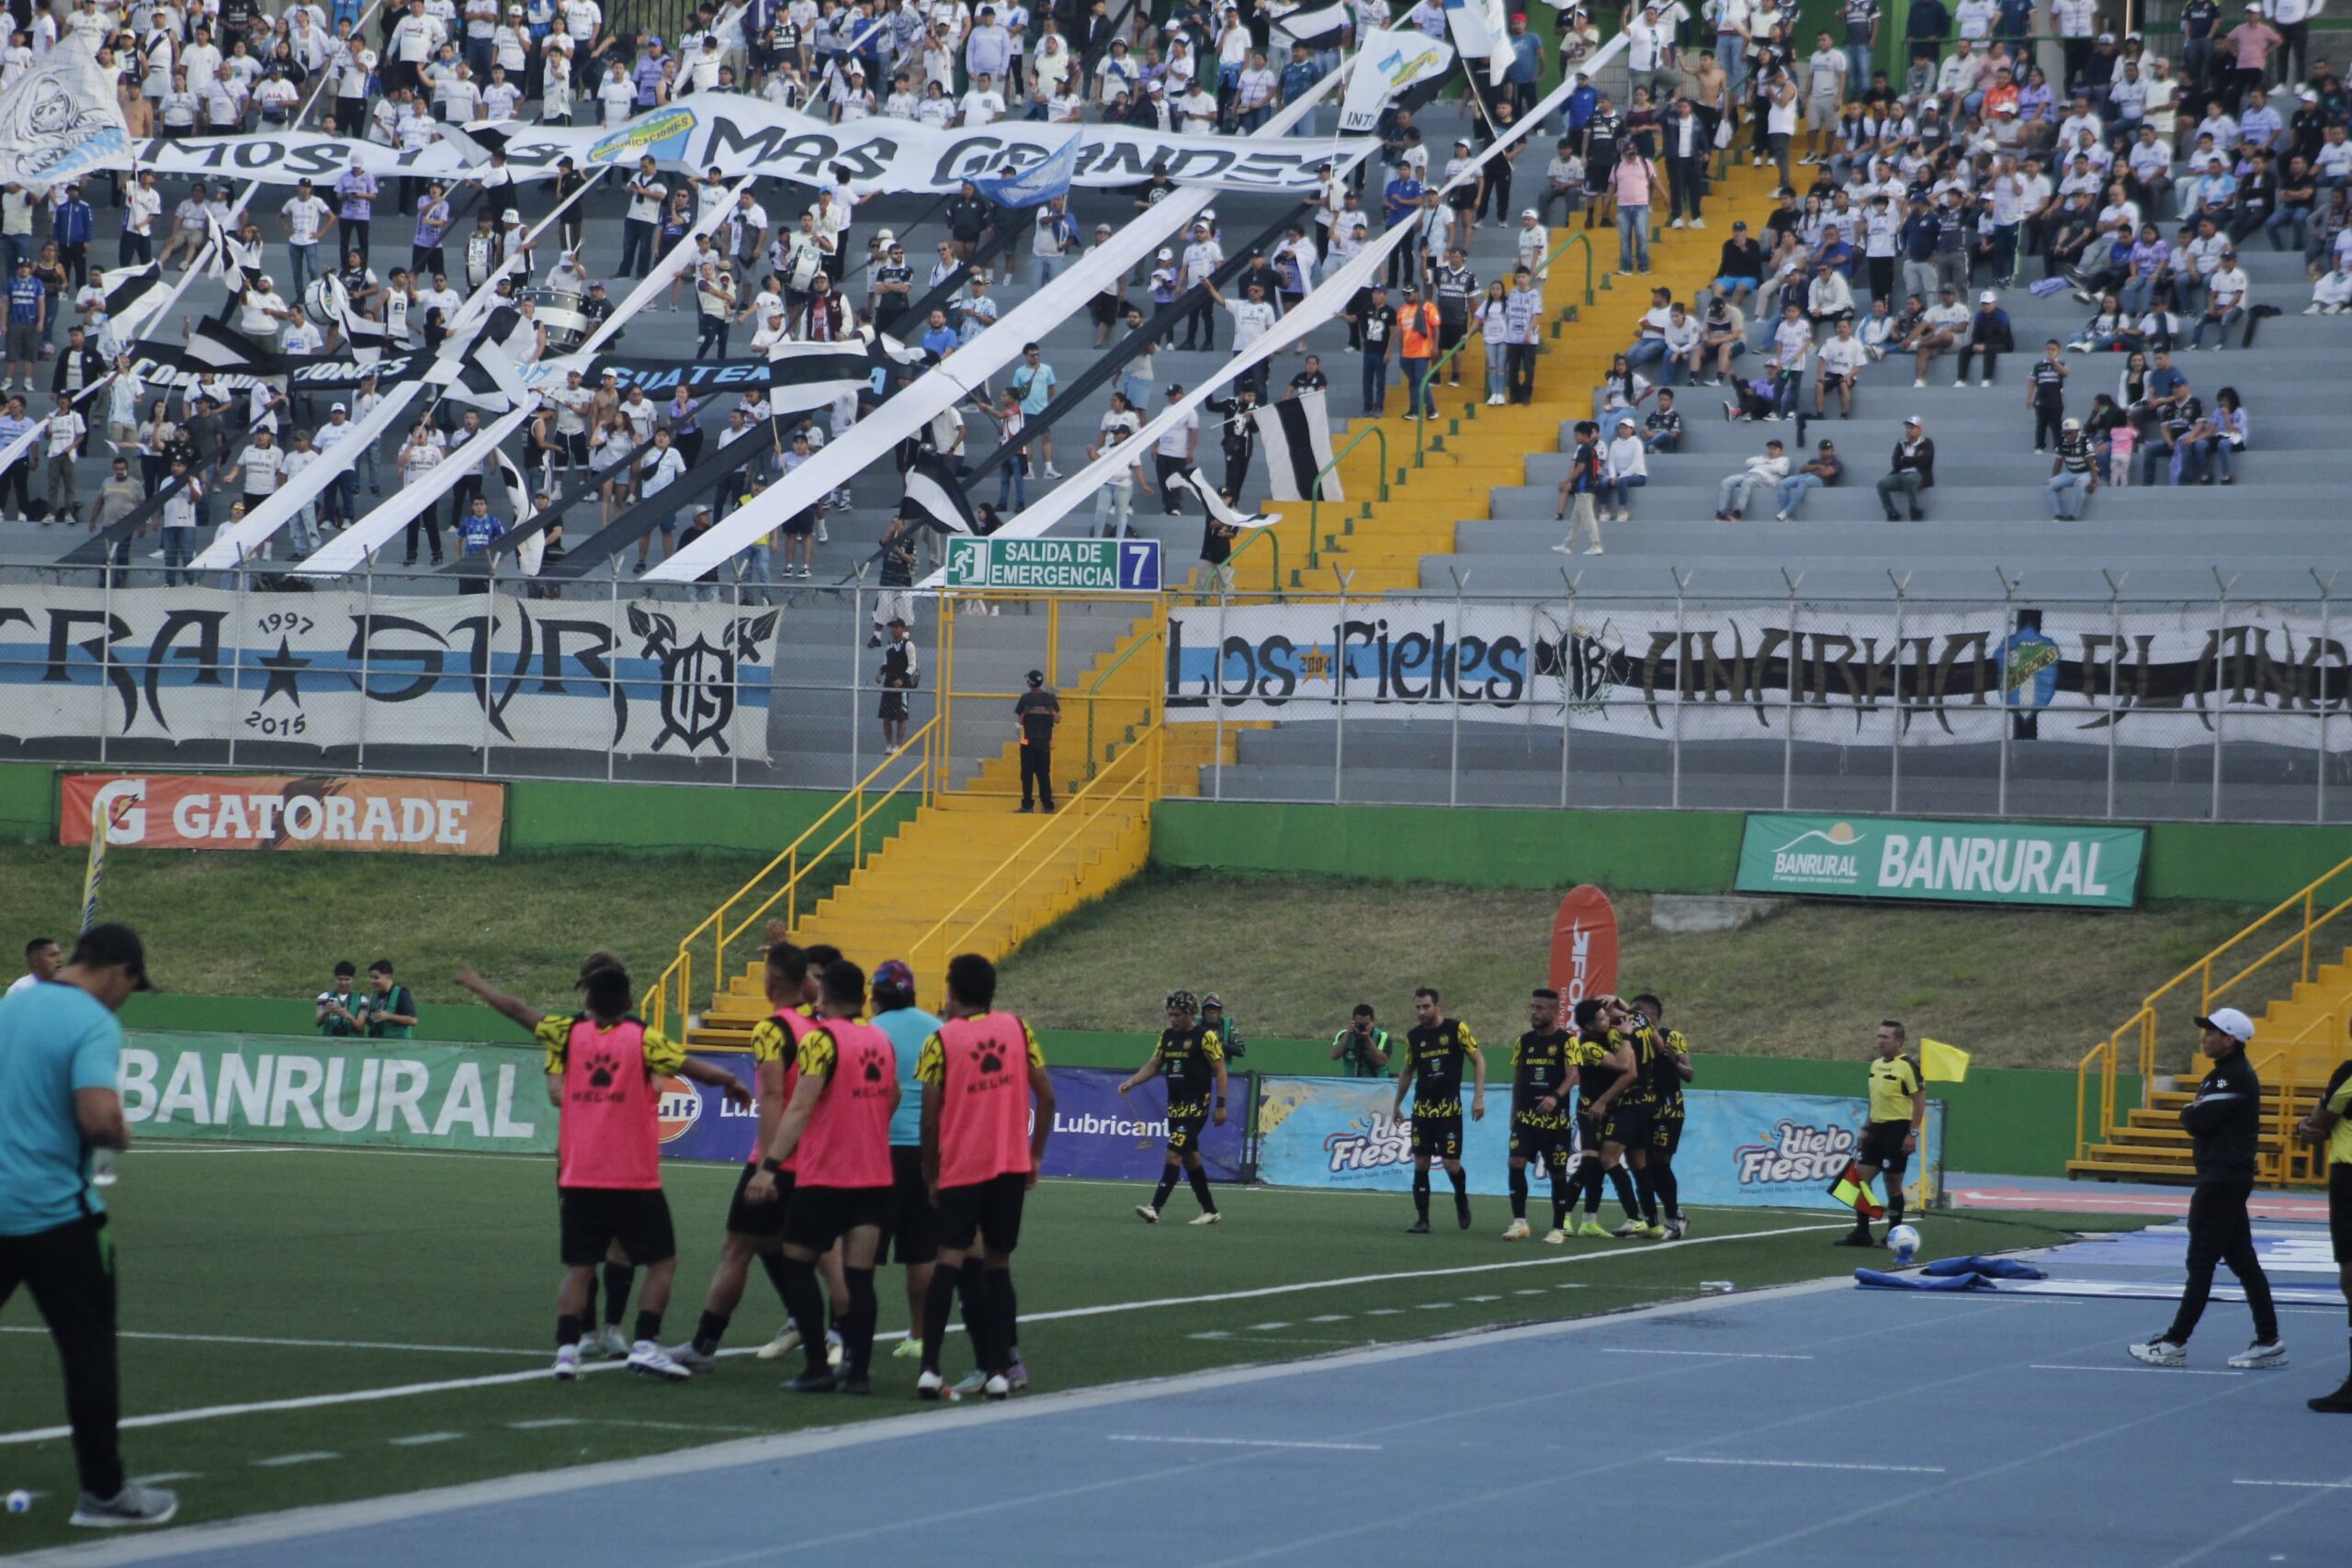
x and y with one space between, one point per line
2118 709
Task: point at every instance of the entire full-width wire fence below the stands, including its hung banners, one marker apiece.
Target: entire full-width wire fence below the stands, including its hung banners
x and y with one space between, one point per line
2116 709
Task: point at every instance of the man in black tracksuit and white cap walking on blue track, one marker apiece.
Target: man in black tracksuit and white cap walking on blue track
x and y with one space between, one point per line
2224 1123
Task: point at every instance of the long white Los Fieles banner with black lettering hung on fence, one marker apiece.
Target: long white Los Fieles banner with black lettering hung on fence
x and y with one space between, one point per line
1746 671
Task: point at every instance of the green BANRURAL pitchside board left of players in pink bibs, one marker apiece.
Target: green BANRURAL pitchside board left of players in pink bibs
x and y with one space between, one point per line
392 1094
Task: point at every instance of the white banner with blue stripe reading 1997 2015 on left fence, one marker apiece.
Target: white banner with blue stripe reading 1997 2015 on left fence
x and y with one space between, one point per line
338 669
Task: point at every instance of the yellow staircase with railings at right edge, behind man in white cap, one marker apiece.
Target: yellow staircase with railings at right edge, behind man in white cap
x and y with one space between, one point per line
2294 979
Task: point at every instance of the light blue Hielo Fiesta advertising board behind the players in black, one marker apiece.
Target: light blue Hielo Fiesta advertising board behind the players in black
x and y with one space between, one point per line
1760 1151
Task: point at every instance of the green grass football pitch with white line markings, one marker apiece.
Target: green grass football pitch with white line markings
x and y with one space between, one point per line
408 1304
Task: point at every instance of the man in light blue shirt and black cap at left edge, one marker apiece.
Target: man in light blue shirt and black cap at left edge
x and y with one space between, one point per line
60 1045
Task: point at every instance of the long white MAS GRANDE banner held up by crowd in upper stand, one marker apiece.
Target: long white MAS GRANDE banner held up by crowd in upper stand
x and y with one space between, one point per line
747 135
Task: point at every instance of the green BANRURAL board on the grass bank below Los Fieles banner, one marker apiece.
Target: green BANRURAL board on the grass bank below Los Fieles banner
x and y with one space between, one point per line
1883 857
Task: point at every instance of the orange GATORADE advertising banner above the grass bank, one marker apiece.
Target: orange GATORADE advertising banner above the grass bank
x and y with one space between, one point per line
420 817
